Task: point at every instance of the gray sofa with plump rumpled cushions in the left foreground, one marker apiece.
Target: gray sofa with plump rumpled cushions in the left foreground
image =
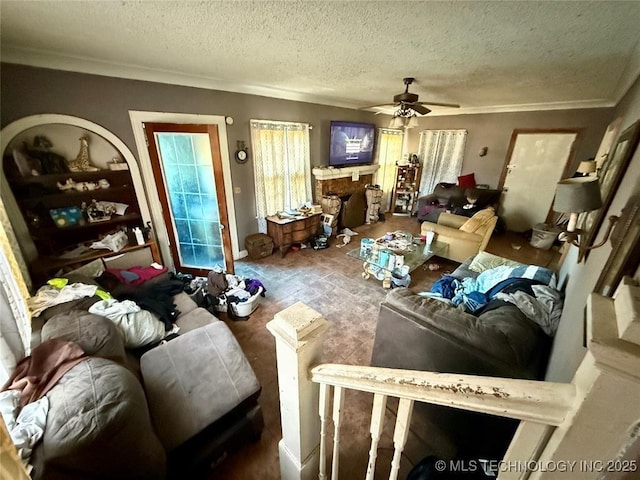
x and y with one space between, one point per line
169 411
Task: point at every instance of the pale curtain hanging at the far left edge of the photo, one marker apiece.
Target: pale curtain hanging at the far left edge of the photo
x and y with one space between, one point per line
15 320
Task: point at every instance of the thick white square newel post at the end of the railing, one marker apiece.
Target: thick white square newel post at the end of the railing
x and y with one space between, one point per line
299 331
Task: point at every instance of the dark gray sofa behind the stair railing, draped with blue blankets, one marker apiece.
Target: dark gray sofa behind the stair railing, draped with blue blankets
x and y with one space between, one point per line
418 333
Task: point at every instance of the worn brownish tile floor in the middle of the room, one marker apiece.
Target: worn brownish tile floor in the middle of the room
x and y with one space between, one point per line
331 283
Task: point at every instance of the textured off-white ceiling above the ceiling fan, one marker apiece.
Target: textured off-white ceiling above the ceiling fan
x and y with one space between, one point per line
485 56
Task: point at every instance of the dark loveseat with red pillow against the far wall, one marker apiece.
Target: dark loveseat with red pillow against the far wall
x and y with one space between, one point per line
449 196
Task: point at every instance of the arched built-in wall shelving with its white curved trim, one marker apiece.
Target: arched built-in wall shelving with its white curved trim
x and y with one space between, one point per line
30 200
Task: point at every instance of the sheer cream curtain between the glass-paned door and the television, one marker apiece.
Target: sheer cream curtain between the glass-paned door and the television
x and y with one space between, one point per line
281 167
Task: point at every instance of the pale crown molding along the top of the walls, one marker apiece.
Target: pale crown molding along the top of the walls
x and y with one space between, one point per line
44 59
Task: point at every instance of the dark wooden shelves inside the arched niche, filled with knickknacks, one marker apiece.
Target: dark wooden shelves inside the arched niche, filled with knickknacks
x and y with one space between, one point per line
64 211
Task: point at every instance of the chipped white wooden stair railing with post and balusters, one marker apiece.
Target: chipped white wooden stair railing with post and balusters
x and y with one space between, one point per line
556 432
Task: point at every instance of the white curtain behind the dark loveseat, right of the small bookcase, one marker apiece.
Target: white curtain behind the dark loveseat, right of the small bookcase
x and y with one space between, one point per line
441 153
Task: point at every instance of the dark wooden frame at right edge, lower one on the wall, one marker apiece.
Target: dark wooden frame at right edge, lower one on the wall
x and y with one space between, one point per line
625 249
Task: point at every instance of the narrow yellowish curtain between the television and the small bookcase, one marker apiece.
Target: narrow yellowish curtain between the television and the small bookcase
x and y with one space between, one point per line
389 151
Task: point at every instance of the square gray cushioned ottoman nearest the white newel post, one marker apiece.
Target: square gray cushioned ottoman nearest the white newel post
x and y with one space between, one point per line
194 384
